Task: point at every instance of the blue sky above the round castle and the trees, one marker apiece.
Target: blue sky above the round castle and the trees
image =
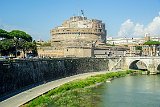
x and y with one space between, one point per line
38 17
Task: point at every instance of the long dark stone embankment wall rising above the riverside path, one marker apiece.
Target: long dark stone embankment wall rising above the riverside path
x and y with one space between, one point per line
16 75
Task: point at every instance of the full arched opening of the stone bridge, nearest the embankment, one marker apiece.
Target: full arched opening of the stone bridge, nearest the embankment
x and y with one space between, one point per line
138 65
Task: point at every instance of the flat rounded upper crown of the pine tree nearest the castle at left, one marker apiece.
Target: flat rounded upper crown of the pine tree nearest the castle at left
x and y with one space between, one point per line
20 34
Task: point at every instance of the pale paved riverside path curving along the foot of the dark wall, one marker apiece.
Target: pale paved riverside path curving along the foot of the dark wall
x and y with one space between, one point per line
28 95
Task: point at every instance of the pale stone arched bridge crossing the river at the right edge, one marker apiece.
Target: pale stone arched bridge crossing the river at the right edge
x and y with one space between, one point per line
150 63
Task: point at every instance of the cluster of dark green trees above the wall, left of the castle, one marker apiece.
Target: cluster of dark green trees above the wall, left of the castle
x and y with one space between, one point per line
16 40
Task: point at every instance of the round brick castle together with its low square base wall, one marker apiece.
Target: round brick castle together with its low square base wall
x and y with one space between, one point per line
76 37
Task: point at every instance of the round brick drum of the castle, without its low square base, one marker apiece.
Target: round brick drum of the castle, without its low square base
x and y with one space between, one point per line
78 31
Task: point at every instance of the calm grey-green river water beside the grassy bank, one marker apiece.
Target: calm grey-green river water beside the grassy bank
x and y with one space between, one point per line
131 91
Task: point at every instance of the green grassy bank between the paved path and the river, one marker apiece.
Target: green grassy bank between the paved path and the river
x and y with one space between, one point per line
75 93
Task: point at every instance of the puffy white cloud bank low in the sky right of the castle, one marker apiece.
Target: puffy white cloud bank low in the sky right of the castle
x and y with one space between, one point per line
131 29
